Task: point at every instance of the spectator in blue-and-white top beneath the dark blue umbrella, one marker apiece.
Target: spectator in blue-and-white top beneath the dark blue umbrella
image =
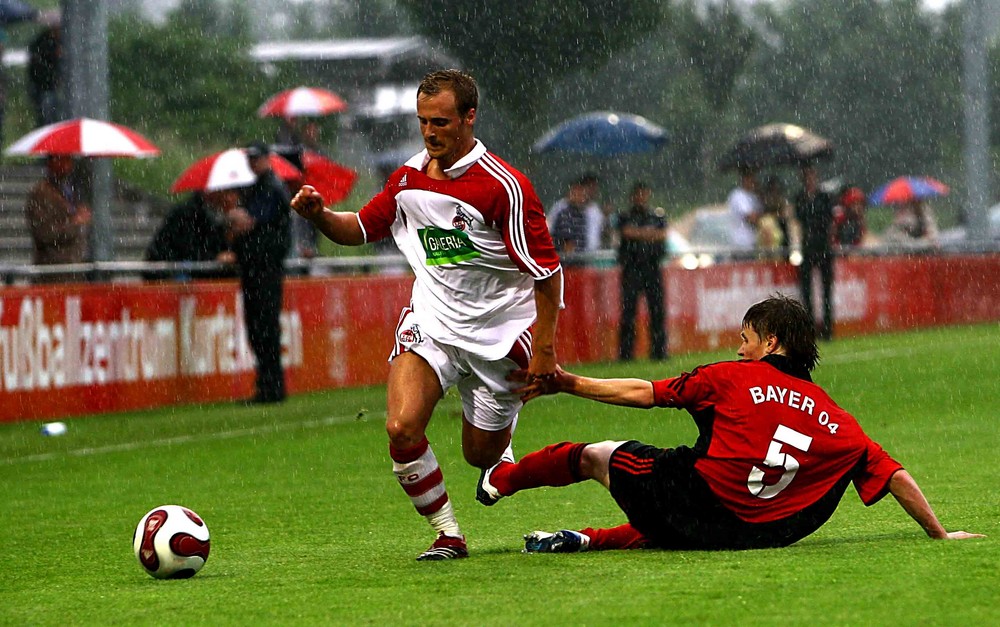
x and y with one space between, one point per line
576 221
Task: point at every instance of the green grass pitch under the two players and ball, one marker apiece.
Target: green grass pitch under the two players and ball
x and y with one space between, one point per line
309 527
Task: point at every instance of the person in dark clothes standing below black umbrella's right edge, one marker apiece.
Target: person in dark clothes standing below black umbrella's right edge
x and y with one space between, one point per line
814 212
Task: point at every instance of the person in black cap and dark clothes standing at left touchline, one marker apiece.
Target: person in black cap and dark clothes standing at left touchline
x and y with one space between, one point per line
261 241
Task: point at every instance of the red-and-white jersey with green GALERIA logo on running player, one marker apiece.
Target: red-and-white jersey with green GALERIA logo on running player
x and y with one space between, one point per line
476 243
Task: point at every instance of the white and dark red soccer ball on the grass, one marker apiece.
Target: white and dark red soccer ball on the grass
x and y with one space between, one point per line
171 542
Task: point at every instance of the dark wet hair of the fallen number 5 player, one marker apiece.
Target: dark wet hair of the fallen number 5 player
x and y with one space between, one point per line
787 320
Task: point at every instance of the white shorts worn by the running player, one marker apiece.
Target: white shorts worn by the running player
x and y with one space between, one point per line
487 400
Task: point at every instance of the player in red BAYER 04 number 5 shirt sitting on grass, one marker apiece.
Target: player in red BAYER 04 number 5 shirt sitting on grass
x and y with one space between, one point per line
773 458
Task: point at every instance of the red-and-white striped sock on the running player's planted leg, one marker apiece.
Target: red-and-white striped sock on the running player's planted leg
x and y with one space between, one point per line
418 473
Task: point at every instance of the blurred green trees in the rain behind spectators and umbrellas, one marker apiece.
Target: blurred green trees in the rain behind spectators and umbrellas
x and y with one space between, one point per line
881 79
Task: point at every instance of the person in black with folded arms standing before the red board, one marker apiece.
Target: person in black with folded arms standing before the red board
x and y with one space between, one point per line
642 241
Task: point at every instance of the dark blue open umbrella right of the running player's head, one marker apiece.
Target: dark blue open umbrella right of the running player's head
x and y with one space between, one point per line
603 133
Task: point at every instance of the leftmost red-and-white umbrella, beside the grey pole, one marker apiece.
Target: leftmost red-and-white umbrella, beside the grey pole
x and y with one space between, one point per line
84 137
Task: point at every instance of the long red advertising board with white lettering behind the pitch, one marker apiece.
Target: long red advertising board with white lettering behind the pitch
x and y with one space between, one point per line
80 349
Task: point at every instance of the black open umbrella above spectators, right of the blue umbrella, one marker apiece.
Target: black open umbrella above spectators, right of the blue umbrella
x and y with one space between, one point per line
776 144
